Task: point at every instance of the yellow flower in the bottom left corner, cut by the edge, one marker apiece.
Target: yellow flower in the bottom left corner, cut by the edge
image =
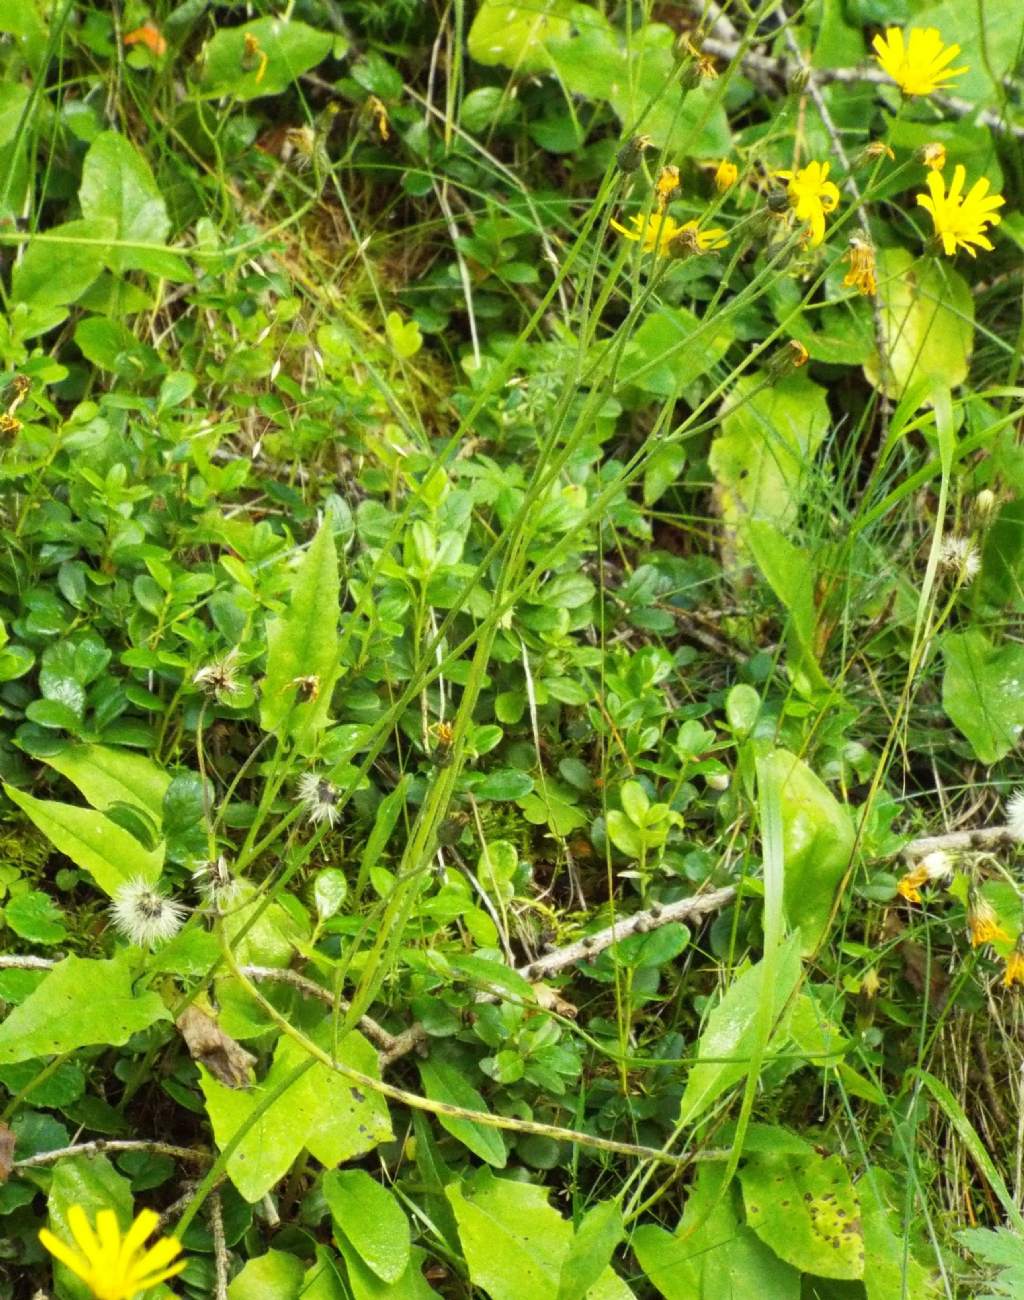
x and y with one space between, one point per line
115 1267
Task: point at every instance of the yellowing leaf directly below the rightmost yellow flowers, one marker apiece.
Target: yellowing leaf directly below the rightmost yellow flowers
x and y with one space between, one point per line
928 323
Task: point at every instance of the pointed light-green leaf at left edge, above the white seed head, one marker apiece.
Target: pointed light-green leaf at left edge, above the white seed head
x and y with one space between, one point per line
92 842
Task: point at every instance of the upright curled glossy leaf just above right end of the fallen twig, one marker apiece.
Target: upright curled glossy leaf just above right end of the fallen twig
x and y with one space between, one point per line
818 843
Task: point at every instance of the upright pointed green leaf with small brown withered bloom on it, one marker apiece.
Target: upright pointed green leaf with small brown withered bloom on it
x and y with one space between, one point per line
305 645
